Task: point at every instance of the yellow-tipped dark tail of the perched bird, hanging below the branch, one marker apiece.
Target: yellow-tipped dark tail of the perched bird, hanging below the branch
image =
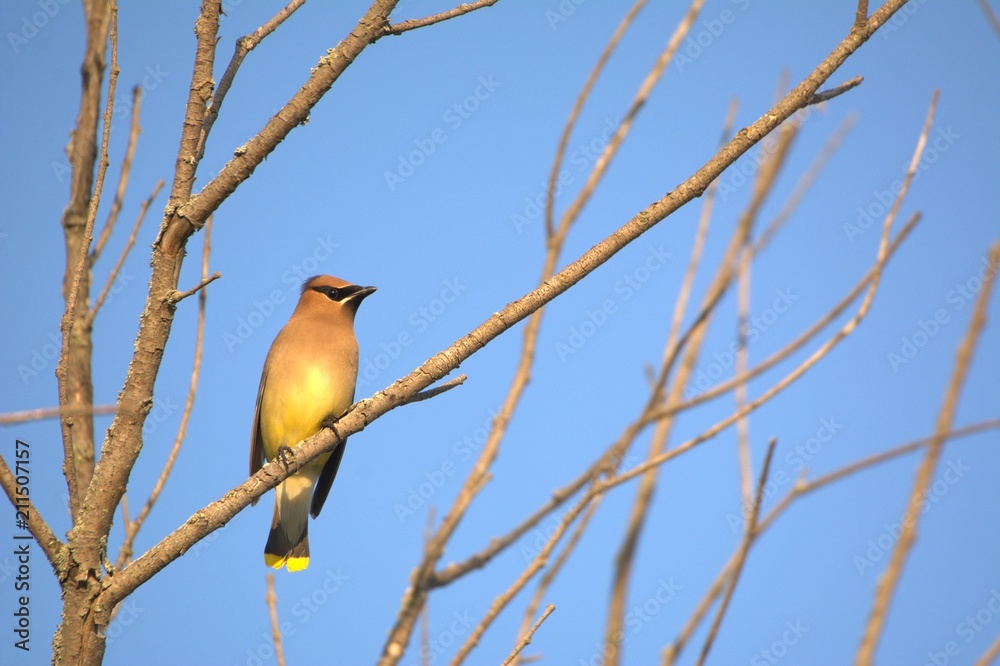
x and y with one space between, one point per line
288 542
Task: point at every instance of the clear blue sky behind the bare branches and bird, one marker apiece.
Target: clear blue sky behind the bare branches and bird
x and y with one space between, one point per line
416 174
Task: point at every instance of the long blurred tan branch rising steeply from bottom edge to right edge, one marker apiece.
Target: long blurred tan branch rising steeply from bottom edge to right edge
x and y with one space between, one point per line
890 579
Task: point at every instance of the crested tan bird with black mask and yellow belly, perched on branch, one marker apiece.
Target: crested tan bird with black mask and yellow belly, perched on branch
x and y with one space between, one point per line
308 376
